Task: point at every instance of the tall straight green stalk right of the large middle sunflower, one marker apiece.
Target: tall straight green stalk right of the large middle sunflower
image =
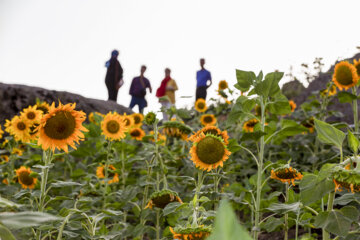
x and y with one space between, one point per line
260 170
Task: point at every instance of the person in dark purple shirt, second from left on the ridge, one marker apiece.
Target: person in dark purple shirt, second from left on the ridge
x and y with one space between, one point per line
138 90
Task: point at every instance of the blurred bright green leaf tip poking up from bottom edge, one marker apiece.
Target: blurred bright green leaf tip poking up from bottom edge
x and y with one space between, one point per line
227 226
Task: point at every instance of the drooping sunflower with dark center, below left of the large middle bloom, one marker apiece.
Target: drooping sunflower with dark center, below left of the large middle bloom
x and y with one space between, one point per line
162 198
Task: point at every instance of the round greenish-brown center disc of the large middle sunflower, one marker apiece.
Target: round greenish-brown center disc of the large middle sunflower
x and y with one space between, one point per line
210 150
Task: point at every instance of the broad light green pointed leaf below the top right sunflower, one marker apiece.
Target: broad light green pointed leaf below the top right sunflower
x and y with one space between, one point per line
329 134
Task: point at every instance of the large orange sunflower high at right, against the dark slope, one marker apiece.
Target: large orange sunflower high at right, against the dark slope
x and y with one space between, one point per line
345 75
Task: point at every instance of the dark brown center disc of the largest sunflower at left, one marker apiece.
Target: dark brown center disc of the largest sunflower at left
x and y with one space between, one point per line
60 126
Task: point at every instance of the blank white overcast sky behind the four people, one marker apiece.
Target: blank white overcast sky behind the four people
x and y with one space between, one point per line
63 45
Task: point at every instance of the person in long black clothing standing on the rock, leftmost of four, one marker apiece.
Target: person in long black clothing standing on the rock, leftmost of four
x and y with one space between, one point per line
114 75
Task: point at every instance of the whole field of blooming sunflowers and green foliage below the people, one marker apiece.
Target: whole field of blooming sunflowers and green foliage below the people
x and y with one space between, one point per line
247 165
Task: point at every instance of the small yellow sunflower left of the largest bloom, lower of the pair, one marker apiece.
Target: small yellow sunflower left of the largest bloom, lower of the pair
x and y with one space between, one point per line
20 129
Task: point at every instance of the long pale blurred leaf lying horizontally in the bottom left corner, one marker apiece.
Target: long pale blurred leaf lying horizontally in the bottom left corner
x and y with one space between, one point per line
26 219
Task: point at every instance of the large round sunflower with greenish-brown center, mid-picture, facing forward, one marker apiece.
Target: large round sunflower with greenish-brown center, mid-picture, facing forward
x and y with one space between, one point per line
209 151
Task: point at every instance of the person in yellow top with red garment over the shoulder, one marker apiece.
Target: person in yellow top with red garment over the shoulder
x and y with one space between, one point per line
167 88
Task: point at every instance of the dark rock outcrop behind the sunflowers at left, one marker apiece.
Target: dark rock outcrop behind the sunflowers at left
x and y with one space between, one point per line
14 97
